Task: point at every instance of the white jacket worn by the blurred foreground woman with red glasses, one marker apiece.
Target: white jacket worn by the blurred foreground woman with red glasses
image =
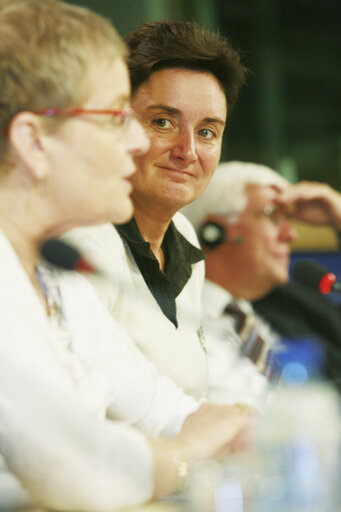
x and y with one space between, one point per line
56 393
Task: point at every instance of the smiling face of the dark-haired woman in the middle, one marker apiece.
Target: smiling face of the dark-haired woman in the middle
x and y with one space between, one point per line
183 113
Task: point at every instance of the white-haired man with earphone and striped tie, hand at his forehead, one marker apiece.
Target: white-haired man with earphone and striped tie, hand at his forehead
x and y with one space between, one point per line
242 220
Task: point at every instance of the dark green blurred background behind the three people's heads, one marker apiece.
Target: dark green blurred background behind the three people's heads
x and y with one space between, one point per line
289 113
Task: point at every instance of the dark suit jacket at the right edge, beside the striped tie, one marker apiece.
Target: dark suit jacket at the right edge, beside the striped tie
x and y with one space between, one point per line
295 311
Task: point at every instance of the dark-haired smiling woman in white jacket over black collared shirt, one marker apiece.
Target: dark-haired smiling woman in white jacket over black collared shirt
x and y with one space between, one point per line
185 80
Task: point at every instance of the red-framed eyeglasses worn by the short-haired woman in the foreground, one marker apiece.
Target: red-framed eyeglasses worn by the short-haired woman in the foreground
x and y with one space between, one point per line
118 117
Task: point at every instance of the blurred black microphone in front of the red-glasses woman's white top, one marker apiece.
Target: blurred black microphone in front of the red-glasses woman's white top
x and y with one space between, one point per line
62 255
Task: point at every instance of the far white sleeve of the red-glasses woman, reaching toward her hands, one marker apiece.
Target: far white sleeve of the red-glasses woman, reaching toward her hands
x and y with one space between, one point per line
138 394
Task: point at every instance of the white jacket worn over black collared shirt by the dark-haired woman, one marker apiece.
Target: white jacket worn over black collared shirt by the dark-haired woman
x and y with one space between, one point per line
176 352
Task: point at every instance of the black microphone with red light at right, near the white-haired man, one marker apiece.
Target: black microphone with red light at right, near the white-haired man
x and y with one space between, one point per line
316 276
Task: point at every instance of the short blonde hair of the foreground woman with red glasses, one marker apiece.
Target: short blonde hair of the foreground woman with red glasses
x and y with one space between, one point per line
45 48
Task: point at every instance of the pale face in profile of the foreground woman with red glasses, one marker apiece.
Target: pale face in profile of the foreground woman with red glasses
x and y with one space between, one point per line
92 154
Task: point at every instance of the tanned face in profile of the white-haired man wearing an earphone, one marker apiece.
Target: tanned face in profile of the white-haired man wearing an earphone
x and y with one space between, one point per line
262 259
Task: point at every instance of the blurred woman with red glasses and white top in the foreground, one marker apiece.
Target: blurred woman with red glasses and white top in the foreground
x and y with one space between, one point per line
66 150
